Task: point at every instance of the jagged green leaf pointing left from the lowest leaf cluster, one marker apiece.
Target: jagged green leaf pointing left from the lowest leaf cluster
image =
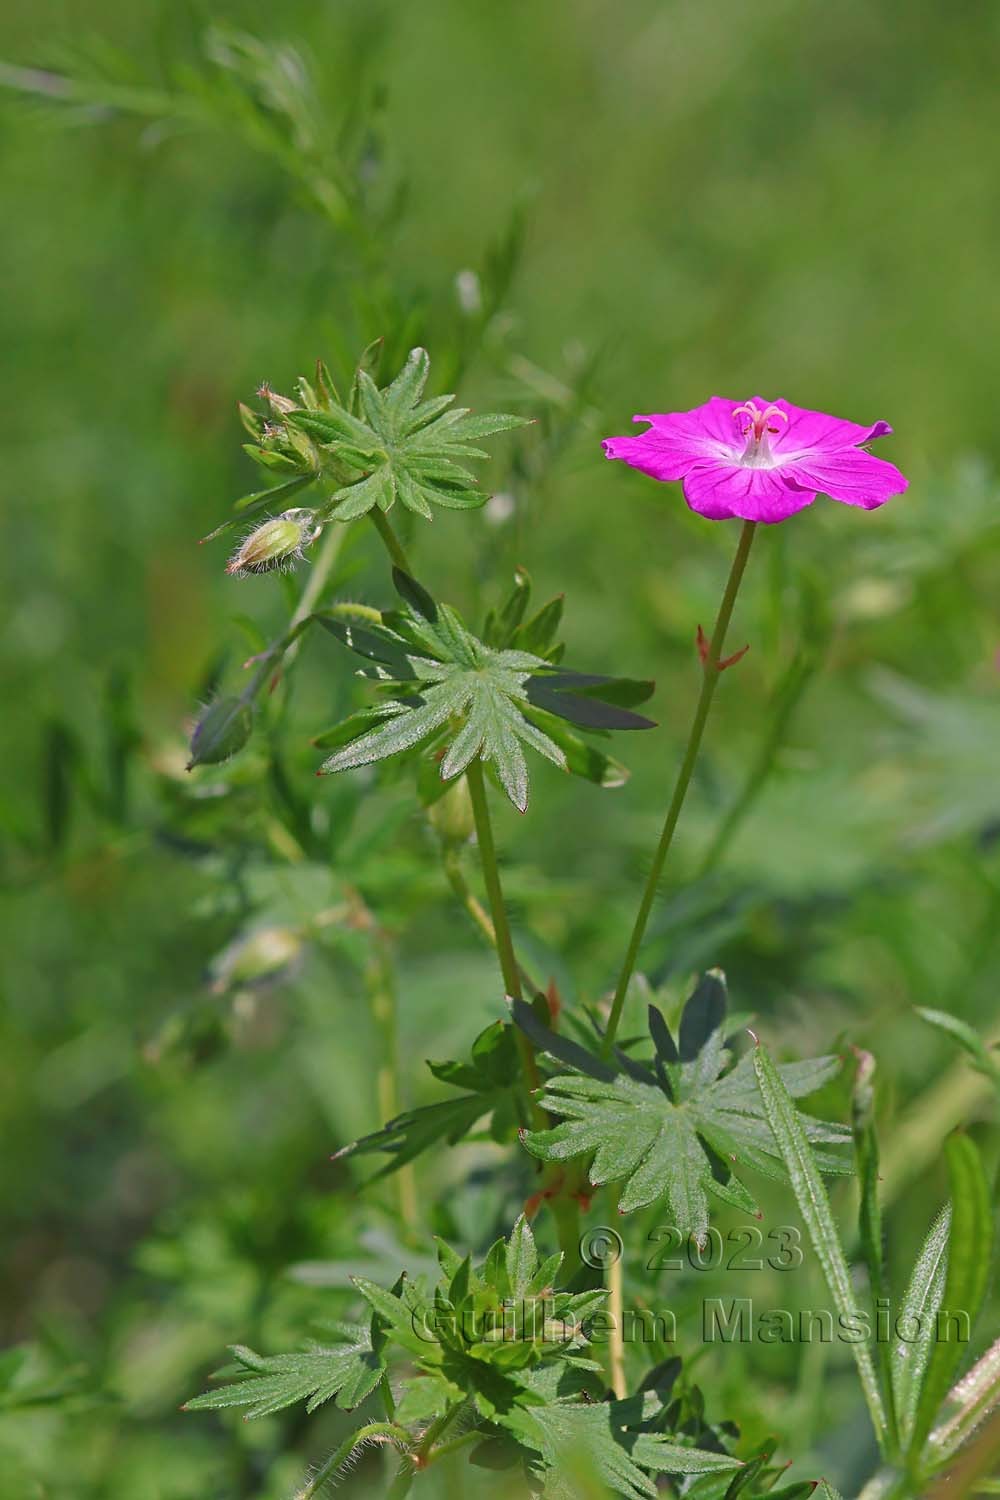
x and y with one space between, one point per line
317 1375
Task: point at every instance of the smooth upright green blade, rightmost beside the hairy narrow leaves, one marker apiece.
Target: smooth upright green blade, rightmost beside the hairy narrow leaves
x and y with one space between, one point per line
969 1261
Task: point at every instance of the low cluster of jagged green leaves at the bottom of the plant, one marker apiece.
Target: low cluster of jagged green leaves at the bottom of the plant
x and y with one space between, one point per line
497 1340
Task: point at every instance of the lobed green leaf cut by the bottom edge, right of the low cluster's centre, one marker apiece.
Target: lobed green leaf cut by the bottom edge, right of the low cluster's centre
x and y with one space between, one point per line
599 1441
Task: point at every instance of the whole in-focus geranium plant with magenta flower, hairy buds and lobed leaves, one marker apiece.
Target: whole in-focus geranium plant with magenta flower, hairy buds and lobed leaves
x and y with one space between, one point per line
522 1363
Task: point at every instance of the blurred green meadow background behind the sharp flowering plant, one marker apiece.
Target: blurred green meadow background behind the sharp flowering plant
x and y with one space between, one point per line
774 197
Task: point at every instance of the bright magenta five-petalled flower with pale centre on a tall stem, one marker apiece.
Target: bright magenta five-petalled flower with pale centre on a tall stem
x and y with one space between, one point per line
761 461
